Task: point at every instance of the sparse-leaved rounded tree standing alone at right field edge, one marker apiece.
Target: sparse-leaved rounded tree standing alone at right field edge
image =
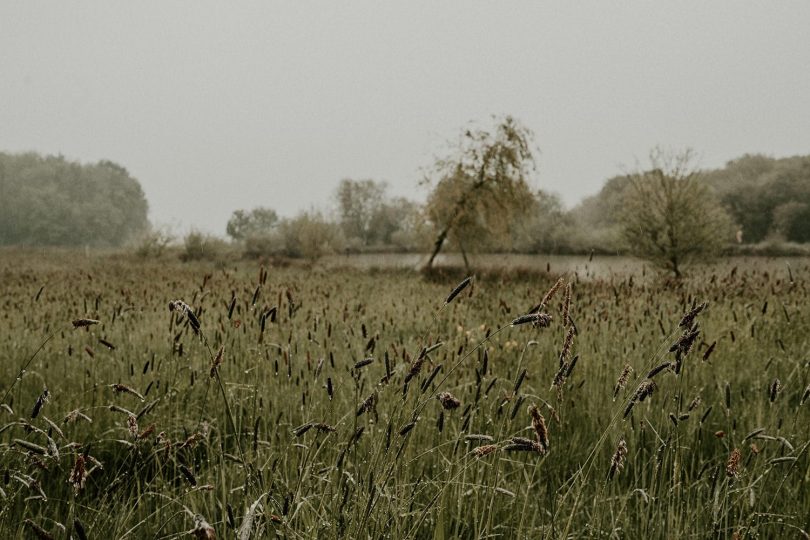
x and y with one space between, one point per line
670 217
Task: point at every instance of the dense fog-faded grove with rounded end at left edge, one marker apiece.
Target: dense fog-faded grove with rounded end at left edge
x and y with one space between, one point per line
53 201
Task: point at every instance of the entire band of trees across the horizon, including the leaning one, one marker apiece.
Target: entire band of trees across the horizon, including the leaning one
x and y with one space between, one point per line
480 199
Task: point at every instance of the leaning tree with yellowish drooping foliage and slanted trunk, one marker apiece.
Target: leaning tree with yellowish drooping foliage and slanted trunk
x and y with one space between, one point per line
482 188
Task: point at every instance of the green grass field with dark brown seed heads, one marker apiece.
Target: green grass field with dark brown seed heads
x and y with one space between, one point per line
266 420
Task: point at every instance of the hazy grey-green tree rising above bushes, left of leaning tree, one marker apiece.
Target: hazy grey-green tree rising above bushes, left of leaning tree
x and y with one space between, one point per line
359 203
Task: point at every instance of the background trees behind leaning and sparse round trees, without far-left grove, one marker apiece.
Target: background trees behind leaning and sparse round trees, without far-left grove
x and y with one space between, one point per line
767 201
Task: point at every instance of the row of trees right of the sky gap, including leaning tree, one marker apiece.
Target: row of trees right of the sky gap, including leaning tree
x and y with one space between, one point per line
670 212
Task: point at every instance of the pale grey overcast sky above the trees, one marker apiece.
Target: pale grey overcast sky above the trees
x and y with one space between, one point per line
216 106
